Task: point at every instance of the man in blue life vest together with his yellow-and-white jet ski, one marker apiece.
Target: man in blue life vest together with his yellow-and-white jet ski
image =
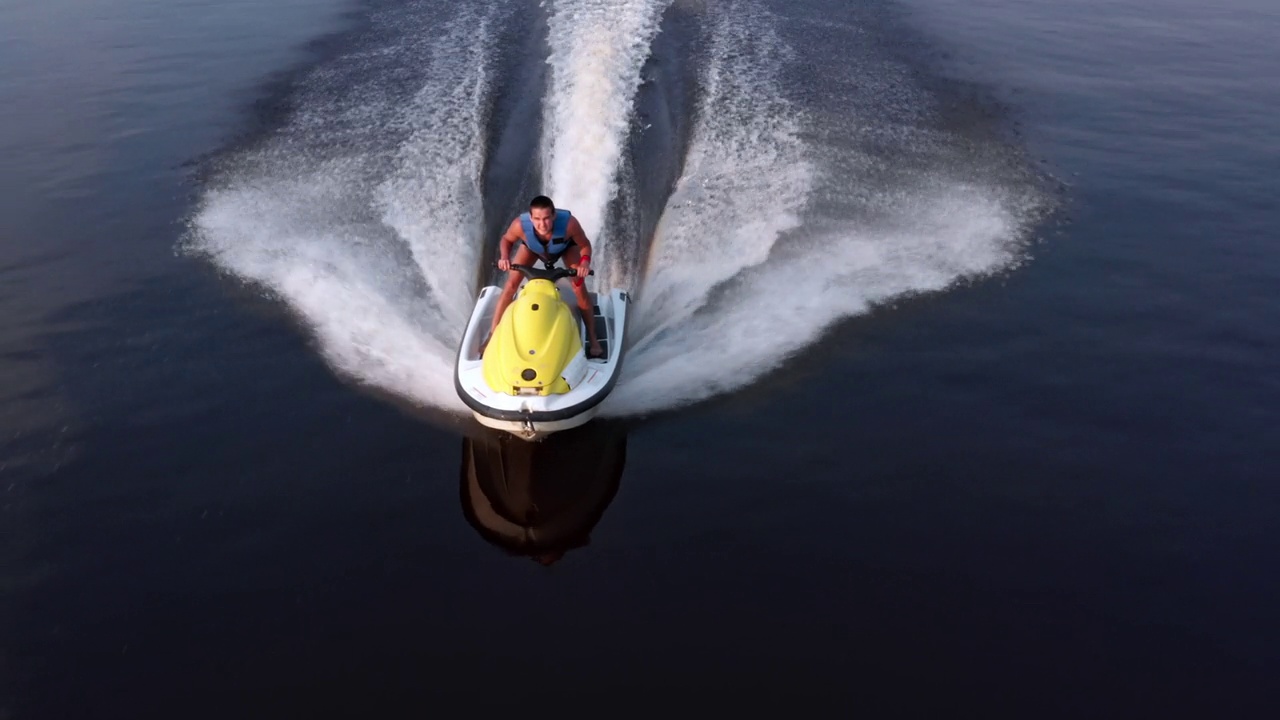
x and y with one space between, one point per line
529 364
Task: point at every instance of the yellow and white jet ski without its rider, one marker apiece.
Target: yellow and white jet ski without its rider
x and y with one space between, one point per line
536 379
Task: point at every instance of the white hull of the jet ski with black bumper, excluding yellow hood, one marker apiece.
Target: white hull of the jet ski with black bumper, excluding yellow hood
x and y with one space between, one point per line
533 417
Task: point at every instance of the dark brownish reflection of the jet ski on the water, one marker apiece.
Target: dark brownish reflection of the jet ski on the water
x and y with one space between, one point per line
541 499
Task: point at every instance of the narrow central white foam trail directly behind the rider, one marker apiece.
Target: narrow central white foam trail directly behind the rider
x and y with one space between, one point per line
598 51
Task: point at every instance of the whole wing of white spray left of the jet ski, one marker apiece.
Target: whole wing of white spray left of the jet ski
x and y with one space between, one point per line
364 215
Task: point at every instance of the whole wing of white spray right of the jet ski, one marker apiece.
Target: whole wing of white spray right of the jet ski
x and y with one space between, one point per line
752 263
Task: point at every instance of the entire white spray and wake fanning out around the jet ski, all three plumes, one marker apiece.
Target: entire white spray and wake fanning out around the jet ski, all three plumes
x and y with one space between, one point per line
364 212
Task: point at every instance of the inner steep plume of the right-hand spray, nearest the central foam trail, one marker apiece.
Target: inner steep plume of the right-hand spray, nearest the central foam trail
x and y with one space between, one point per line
746 181
